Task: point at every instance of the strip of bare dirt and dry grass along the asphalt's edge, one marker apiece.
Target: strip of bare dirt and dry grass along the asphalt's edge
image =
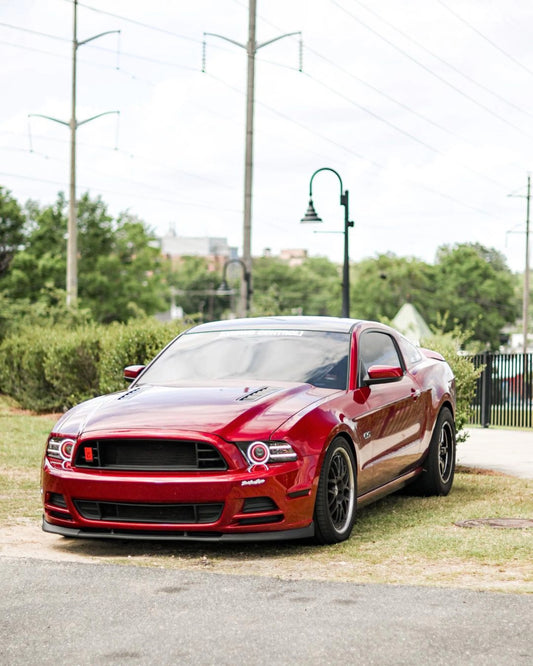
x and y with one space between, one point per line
287 561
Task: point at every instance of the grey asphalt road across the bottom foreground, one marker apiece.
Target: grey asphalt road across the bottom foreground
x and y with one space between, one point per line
69 613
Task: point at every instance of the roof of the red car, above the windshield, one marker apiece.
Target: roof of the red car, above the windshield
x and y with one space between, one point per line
331 324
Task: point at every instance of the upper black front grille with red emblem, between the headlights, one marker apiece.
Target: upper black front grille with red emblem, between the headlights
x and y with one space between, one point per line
149 455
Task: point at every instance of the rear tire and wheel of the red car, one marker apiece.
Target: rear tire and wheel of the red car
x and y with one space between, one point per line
439 467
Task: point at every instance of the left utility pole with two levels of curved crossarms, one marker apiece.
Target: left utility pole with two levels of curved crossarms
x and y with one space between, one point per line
73 124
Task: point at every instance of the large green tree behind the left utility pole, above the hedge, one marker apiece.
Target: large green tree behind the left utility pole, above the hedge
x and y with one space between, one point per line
119 269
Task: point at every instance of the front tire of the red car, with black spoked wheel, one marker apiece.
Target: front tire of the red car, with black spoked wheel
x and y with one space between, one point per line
336 497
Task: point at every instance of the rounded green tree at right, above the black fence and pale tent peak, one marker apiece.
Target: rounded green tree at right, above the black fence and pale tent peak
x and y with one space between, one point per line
475 289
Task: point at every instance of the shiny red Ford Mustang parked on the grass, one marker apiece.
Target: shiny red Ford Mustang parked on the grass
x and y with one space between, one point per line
267 428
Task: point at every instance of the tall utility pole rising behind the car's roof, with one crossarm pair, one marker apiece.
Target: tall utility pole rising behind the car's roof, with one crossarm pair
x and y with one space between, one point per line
251 49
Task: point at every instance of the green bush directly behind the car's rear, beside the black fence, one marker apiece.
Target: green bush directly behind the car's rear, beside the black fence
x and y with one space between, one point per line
466 374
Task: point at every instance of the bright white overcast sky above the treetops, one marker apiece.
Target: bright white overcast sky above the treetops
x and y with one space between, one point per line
424 108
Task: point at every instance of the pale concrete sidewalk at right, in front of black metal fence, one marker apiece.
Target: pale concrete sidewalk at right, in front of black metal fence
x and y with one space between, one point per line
499 449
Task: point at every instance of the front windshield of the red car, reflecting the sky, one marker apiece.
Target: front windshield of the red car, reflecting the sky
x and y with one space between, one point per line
316 357
